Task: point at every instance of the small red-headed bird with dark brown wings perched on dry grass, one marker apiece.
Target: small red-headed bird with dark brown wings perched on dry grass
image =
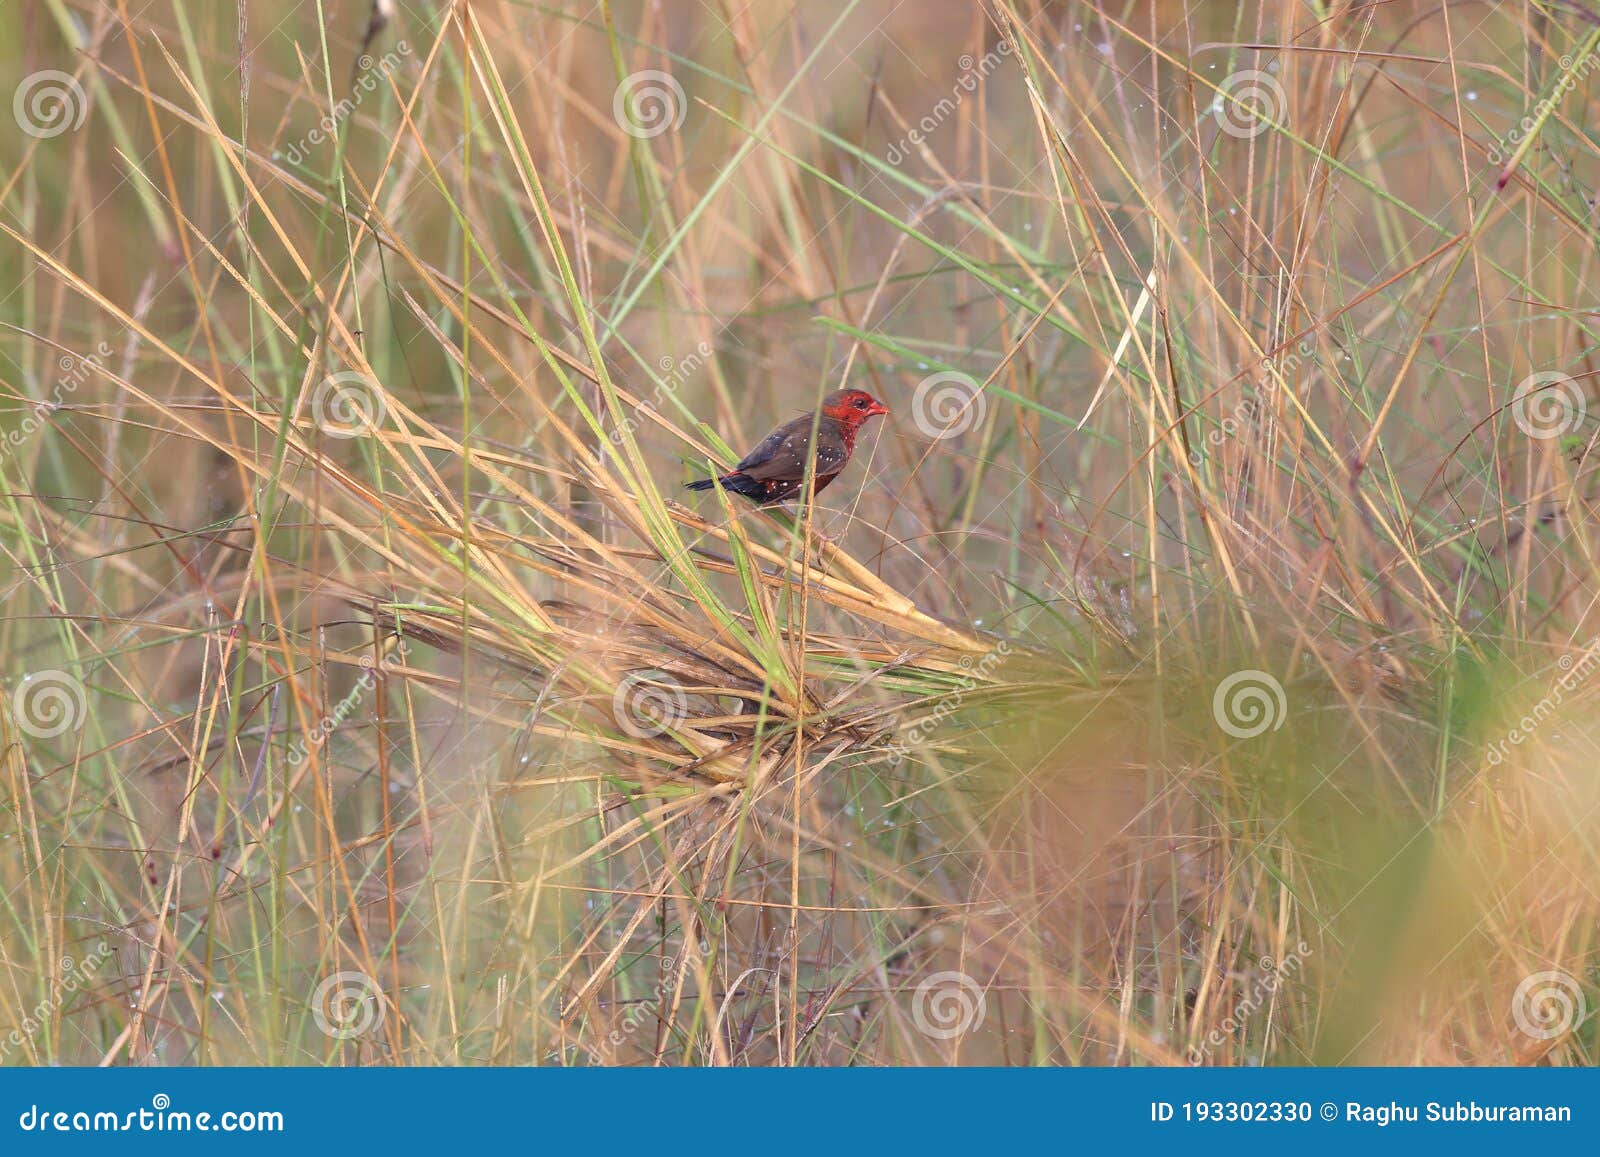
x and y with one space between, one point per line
775 471
